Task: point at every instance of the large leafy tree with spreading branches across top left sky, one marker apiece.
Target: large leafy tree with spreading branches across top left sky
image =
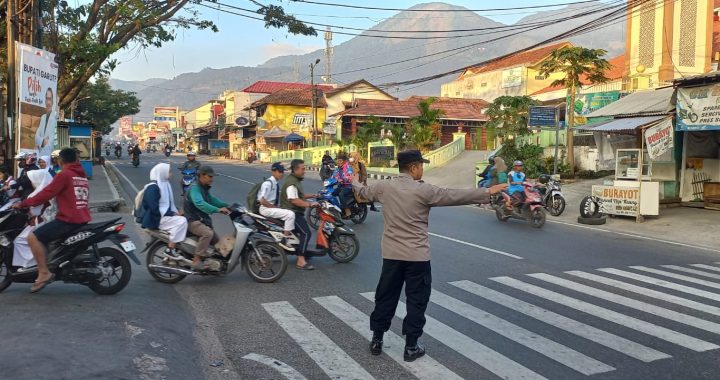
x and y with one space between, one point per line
86 34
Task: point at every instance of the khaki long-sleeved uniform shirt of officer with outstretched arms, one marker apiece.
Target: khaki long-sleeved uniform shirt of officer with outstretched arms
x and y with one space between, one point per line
406 207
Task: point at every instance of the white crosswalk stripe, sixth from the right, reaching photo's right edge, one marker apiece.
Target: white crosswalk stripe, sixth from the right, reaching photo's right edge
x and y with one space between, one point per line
672 315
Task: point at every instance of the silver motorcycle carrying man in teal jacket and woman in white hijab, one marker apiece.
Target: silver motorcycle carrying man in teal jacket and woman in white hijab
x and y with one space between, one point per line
257 252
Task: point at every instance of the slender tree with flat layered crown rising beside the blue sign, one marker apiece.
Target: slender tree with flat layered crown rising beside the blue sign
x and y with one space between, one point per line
575 63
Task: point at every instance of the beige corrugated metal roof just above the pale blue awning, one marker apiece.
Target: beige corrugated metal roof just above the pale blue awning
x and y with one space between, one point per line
644 103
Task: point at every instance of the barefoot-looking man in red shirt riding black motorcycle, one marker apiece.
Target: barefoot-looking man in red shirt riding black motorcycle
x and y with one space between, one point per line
71 190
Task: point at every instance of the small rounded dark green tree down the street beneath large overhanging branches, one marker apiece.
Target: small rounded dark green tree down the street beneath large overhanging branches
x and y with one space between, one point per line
103 106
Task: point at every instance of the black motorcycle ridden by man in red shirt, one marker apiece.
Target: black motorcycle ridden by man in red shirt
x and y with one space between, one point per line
77 259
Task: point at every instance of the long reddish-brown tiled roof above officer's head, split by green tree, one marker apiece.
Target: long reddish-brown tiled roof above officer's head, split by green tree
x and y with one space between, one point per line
455 109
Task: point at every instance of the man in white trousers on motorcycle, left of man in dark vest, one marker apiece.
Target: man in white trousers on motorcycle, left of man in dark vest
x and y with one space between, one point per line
270 201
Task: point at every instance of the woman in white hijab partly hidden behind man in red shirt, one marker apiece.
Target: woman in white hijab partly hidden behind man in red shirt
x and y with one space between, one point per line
39 215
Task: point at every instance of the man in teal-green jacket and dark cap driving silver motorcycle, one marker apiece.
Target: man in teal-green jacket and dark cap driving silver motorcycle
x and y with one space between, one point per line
199 206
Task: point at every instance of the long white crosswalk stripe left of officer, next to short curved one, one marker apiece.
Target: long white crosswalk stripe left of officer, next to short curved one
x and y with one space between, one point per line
331 358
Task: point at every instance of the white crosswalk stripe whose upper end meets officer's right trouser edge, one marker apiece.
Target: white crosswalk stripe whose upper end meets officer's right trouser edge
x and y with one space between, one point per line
551 349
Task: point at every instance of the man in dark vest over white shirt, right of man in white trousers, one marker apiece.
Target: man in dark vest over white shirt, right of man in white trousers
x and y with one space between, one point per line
292 198
